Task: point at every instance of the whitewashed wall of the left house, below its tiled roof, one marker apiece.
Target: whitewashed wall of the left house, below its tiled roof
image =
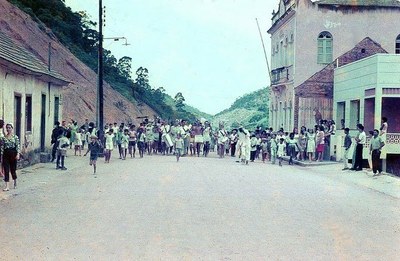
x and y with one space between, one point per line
17 84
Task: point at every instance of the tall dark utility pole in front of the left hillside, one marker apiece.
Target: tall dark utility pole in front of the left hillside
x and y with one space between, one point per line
100 91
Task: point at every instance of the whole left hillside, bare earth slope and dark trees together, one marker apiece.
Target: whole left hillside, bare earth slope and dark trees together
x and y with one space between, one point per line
56 22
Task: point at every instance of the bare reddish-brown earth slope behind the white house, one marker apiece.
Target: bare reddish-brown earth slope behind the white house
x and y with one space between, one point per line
79 98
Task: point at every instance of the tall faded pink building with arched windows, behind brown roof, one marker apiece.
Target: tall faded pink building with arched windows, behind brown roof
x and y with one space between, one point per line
306 36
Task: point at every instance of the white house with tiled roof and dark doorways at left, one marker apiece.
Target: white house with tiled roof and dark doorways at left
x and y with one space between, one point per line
30 95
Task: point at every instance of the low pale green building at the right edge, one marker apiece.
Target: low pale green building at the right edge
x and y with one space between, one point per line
367 90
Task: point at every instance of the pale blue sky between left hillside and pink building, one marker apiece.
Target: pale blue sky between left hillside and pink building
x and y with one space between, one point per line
210 50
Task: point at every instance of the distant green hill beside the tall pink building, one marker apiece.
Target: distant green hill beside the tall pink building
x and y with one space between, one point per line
250 110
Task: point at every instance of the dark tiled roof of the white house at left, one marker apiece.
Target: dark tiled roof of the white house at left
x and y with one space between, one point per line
19 59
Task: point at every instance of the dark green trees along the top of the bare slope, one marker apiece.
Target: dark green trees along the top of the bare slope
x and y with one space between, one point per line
78 33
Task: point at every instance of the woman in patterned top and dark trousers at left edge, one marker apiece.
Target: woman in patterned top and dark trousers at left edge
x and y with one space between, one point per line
10 149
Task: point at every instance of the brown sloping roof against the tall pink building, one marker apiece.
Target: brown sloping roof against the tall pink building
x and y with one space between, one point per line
321 83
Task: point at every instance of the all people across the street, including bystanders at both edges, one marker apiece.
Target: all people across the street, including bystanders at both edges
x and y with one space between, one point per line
182 138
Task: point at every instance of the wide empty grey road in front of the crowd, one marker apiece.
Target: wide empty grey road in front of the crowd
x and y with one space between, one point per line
198 209
